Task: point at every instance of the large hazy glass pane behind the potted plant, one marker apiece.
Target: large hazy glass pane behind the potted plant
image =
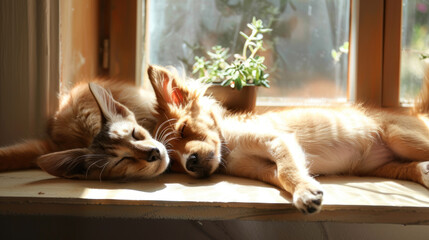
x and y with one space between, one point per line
306 52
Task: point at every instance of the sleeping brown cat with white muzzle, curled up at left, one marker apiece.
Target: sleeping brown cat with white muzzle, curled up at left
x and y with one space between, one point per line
95 136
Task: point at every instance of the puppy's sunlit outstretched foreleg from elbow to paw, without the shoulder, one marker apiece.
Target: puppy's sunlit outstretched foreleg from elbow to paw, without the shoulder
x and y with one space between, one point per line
293 174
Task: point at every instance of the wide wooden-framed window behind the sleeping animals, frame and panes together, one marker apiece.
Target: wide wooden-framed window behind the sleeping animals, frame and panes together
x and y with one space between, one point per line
306 58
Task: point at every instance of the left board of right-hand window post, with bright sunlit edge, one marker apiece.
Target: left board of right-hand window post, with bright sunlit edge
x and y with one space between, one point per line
366 46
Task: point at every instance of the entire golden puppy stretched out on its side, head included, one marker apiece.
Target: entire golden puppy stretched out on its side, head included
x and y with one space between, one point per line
286 148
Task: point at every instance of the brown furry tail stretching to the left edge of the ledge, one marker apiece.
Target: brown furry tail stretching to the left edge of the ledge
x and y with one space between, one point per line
23 155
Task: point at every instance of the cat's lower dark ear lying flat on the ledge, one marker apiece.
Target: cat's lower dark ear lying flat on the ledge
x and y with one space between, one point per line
68 164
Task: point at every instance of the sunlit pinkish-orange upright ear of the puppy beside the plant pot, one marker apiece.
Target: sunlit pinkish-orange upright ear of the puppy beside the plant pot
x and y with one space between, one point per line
168 88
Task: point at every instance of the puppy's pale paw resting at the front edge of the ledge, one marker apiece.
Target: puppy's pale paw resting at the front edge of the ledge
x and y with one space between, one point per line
308 198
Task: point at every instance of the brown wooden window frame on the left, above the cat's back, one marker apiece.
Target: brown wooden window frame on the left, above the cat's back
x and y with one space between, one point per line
98 40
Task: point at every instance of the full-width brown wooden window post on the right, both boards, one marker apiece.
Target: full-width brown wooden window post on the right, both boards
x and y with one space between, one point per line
375 52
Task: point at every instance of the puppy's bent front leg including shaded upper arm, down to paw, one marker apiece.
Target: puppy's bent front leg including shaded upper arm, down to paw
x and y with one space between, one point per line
279 160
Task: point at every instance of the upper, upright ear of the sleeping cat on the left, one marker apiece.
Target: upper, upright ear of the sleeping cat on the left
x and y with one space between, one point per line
110 108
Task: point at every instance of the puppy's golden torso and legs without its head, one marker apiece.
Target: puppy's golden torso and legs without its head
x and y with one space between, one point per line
286 148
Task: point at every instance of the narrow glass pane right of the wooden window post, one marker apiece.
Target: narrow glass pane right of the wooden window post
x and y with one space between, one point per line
415 41
